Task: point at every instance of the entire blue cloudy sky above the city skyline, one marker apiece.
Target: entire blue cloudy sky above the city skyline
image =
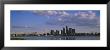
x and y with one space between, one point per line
46 20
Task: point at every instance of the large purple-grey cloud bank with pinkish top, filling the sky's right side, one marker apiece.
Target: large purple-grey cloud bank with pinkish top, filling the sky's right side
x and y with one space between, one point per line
87 18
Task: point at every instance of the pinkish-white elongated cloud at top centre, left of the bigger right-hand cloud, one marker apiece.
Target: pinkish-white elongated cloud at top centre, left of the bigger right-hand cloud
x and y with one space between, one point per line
56 13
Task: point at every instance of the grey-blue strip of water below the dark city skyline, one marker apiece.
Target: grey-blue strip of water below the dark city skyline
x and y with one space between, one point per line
61 38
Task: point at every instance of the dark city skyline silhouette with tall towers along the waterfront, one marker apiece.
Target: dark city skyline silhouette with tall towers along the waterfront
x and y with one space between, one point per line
64 32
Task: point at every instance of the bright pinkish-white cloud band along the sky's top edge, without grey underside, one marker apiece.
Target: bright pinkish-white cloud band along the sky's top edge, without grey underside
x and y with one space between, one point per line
60 13
